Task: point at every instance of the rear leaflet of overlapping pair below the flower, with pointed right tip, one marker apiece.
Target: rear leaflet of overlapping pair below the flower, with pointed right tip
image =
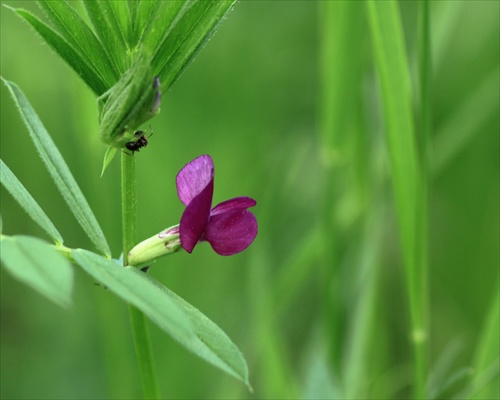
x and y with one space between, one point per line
210 342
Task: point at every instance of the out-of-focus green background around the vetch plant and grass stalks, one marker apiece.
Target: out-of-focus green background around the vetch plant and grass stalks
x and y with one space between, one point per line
252 100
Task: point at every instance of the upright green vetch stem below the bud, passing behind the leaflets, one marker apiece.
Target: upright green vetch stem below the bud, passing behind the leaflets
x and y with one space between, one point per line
139 325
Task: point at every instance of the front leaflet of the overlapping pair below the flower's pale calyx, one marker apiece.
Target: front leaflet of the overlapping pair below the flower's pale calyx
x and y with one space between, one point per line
130 284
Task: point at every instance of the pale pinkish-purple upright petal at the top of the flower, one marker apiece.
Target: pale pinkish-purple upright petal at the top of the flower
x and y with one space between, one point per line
194 177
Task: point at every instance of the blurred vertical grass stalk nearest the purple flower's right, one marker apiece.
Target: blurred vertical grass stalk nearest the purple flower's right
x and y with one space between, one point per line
335 105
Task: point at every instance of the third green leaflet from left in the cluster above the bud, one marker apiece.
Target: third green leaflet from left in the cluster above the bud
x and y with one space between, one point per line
108 30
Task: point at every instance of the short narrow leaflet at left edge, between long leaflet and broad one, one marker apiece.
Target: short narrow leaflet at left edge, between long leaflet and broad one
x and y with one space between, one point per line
27 202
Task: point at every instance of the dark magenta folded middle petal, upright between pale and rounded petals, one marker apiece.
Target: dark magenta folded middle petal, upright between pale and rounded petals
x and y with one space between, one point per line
195 218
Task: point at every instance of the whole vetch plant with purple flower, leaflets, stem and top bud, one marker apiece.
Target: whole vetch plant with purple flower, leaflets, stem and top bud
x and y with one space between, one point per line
128 56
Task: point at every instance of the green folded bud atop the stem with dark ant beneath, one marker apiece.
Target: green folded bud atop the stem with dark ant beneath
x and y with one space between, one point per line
133 100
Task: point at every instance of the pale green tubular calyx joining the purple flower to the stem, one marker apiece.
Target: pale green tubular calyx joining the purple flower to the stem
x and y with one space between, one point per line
164 243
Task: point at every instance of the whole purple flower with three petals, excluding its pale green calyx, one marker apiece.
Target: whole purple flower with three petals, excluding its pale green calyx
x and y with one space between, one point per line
229 227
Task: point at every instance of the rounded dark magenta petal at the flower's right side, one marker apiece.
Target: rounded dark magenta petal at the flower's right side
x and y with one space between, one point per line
231 232
